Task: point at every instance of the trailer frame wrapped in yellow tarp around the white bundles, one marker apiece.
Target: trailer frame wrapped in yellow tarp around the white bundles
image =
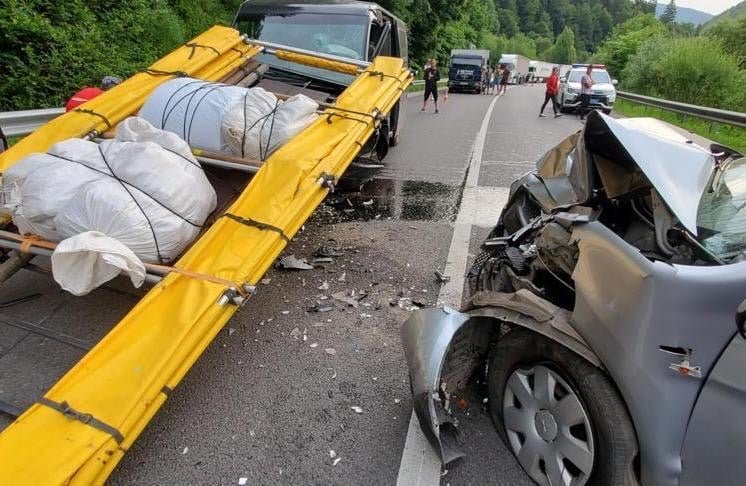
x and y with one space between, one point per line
81 428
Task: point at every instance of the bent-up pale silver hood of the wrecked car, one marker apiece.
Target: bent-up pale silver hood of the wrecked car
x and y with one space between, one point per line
679 170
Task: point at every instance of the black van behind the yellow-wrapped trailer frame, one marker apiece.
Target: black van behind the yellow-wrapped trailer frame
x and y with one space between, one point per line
351 29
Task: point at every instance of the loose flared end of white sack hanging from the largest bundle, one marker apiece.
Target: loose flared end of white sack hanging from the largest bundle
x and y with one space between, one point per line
88 260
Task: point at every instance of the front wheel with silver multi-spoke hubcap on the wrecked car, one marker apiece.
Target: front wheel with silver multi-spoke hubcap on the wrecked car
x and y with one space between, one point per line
560 416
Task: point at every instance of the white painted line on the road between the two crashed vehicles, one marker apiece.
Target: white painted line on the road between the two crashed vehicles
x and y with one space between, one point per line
420 465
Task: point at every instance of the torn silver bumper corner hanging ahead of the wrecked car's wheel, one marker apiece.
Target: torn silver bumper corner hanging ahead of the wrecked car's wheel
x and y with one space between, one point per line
427 336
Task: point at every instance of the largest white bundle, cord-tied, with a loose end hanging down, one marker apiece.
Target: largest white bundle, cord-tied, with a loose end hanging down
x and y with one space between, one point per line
143 191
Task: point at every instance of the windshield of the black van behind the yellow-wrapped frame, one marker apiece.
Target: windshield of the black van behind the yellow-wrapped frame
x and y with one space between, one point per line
341 35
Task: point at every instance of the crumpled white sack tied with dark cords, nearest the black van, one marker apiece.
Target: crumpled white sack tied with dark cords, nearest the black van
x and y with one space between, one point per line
258 123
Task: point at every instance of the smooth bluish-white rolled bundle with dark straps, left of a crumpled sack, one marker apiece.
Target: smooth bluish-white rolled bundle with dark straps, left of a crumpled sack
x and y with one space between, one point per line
192 109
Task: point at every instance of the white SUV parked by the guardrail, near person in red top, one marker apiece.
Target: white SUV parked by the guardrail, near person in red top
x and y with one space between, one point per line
604 91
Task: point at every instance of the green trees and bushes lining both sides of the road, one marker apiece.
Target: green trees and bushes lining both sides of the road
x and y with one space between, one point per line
52 48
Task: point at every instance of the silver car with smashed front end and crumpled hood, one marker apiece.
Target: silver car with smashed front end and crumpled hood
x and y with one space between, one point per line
601 315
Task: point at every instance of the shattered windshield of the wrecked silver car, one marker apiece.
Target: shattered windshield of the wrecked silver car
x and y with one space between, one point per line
722 212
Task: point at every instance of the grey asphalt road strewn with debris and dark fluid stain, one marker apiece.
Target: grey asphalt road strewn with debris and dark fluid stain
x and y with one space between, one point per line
283 386
